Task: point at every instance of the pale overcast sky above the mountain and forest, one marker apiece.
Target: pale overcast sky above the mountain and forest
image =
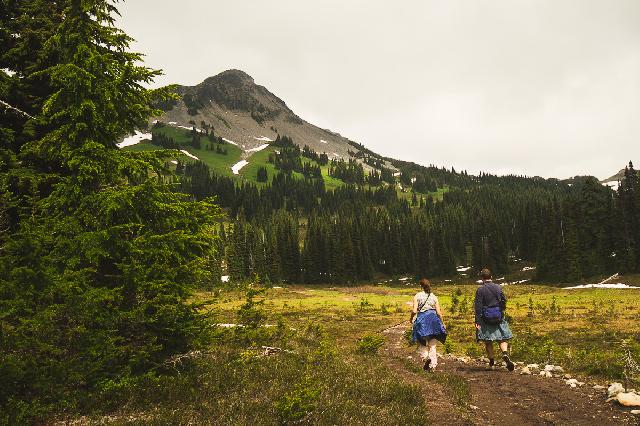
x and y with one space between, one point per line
537 88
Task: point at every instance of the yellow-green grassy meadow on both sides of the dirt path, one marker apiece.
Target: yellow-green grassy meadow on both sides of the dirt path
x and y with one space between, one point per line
314 354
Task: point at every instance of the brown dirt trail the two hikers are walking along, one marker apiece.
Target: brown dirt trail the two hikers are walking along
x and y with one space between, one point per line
499 397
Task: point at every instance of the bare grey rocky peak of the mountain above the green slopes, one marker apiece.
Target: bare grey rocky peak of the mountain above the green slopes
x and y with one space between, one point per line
249 115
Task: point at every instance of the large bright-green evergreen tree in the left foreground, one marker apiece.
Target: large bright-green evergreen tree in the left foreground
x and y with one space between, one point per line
97 267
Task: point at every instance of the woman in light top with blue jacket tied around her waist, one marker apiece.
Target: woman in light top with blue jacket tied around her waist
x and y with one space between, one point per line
428 328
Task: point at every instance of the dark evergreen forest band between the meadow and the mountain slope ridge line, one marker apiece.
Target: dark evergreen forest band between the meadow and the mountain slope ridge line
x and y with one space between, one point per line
572 230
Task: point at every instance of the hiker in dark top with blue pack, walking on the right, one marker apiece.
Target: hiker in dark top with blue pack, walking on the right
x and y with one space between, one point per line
491 326
